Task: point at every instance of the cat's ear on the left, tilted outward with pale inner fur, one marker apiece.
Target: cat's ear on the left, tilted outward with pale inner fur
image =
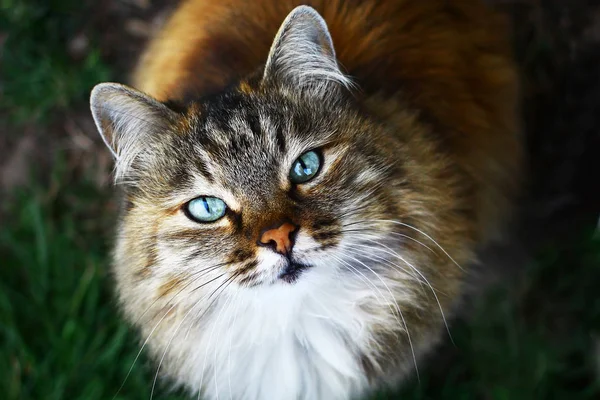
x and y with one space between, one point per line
127 121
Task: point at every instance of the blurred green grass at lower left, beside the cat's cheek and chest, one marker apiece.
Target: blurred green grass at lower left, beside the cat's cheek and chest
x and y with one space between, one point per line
61 336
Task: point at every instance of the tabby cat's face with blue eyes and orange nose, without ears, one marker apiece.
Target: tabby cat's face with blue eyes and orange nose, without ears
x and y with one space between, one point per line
265 185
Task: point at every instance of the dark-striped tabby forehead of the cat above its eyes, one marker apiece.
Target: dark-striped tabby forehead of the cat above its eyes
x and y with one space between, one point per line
245 142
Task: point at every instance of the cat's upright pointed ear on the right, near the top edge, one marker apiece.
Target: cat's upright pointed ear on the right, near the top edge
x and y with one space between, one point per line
302 54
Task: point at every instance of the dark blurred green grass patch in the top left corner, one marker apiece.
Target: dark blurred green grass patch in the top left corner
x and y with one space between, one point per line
40 77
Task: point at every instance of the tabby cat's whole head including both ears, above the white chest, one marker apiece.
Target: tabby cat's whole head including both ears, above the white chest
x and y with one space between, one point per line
281 178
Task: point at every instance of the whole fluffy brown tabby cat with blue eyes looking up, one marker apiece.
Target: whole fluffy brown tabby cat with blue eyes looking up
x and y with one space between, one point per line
304 196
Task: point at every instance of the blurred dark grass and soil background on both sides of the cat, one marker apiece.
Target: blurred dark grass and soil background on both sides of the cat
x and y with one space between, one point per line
535 335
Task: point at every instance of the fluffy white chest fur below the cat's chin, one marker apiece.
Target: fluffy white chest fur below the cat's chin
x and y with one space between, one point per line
301 341
